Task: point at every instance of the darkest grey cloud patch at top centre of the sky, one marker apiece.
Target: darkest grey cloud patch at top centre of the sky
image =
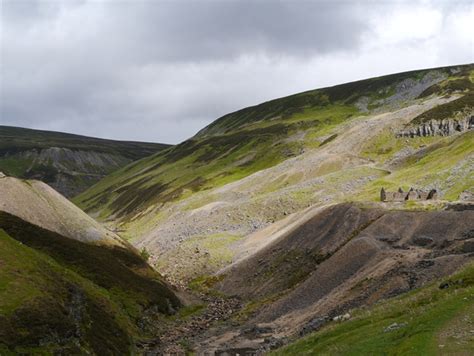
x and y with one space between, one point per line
216 30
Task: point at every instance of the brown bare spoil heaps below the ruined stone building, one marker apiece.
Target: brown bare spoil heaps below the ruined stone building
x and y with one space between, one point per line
353 256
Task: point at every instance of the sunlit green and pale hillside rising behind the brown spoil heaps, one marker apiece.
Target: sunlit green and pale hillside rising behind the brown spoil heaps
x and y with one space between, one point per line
254 167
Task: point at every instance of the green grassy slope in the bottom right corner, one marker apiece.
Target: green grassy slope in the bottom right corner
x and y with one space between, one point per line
437 319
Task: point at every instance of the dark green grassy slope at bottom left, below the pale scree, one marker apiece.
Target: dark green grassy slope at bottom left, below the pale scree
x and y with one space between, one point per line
58 295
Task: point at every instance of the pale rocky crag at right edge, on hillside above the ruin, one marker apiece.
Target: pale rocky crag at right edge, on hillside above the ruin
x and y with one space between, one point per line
444 127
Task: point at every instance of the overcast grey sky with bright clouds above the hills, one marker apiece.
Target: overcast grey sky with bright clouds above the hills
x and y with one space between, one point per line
161 70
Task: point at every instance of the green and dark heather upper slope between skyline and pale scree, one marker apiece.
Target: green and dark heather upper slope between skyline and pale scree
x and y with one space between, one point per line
250 140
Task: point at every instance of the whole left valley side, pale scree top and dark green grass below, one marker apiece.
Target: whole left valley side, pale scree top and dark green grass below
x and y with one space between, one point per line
67 284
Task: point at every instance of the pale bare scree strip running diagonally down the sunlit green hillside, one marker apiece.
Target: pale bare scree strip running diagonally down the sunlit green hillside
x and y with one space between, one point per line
257 201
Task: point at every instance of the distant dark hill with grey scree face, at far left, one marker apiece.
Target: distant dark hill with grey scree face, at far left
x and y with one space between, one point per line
69 163
